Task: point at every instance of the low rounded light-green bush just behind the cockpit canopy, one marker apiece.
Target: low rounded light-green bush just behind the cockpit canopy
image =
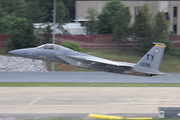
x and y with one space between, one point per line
72 45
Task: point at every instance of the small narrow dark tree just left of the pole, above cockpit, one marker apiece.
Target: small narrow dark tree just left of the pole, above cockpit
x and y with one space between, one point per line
47 33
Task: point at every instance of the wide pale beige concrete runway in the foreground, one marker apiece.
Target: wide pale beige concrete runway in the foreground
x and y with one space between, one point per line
85 100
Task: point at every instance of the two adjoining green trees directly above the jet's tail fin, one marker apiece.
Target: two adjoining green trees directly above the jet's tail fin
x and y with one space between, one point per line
148 30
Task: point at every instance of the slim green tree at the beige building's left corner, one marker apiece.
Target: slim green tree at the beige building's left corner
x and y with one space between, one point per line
90 25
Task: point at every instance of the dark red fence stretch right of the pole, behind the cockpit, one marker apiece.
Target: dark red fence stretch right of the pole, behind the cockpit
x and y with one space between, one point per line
93 41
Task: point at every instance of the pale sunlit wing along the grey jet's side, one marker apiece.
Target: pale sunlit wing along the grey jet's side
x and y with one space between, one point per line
98 60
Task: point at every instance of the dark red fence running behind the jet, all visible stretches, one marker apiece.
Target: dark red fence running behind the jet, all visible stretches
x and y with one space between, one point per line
94 41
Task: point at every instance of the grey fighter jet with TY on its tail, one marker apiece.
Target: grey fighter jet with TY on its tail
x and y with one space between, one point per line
148 65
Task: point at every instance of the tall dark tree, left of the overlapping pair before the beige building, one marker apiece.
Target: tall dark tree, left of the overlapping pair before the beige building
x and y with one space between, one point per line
104 25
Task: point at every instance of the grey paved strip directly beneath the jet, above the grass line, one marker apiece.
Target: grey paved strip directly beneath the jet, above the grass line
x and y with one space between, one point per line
100 77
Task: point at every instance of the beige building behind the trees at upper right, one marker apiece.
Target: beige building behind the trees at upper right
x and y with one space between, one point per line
170 7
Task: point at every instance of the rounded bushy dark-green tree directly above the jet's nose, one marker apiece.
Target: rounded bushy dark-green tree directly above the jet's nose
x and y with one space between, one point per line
21 35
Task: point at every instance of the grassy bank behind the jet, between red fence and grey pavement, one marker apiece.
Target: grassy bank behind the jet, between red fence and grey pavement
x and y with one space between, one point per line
169 64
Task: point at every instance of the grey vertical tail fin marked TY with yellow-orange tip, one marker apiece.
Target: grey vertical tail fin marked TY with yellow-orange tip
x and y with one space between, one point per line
151 61
